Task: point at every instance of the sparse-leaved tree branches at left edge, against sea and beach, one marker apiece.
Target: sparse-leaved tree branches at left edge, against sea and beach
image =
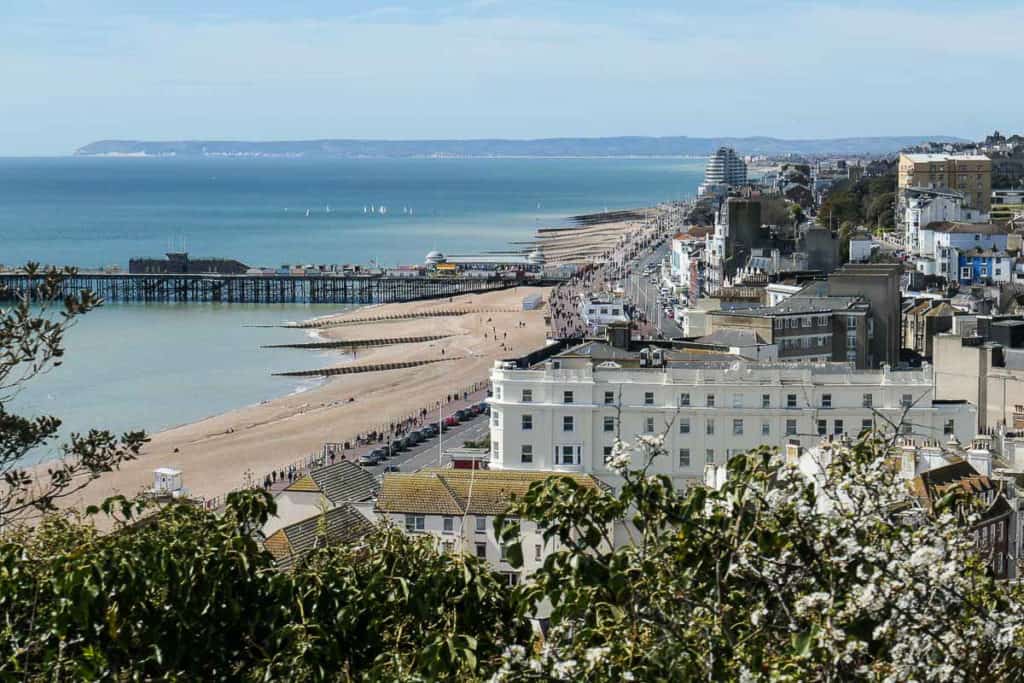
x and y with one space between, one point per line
32 332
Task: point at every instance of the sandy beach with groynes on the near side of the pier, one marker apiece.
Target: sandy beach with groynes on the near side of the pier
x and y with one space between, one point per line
216 454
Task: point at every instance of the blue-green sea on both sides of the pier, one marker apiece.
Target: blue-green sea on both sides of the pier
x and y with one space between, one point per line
156 366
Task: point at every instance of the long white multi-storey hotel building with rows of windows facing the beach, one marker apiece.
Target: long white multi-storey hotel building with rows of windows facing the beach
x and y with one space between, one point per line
567 414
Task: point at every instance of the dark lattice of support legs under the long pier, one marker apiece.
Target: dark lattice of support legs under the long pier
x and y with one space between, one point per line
160 288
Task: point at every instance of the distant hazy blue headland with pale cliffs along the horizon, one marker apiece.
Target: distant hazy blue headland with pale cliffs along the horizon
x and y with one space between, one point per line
552 148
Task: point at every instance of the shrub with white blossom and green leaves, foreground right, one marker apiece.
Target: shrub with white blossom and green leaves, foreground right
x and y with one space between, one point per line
775 576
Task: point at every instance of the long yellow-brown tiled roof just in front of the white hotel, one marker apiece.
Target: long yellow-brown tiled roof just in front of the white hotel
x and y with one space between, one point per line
451 492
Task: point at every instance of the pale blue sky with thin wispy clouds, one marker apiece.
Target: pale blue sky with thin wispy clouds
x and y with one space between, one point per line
76 71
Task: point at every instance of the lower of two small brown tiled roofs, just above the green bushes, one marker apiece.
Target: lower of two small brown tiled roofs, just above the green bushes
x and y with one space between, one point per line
292 543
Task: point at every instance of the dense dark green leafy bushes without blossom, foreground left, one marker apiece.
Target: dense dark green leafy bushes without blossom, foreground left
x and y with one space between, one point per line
186 594
